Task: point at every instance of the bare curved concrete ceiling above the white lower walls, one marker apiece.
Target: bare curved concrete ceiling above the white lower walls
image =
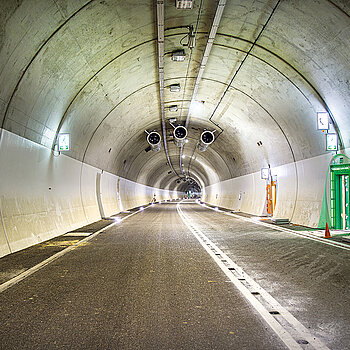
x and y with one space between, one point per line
90 68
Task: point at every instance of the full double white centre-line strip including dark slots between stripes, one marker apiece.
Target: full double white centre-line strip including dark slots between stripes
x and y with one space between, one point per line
293 334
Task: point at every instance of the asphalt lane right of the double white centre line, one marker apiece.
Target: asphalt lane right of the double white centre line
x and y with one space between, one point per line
310 279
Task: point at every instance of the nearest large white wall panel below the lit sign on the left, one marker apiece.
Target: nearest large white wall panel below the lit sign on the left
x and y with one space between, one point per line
39 192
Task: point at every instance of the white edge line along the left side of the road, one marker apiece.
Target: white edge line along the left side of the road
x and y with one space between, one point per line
54 257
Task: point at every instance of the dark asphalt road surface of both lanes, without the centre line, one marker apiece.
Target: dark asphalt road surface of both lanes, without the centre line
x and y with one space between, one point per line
148 283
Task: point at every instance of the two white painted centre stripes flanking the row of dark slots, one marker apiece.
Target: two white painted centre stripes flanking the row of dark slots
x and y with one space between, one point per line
277 327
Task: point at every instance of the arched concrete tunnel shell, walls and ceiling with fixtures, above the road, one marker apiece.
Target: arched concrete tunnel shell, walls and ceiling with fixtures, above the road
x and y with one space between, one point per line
107 106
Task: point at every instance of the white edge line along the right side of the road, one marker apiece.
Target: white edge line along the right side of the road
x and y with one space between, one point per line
282 229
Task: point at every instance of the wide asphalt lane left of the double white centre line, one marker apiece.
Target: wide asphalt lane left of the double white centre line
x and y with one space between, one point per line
144 284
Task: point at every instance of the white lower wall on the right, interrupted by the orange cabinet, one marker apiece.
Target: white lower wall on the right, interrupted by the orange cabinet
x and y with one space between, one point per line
300 190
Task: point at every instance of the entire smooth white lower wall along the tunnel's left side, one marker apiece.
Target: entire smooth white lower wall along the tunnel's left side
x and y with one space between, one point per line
43 194
